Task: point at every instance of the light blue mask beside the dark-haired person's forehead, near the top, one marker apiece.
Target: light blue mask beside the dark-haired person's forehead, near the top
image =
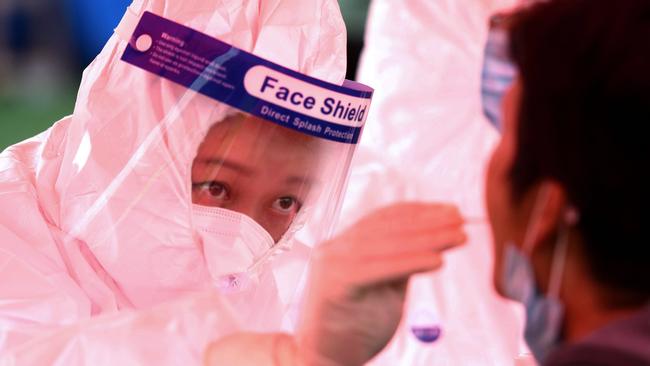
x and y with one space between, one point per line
498 72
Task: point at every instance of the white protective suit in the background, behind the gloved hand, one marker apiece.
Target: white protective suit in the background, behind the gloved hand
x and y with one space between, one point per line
429 141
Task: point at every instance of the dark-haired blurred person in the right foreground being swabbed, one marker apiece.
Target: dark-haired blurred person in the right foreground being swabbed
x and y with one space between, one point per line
564 190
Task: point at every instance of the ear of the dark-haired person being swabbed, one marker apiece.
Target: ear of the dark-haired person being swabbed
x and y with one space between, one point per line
548 212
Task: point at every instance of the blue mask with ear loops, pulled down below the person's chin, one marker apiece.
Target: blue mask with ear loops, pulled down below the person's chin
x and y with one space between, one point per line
544 312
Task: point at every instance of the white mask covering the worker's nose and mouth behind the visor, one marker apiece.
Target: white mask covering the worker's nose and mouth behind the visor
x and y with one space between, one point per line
234 246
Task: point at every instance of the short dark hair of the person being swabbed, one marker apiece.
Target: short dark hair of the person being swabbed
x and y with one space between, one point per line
585 106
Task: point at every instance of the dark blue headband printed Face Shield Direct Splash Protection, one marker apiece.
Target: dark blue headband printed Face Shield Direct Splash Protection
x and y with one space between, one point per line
244 81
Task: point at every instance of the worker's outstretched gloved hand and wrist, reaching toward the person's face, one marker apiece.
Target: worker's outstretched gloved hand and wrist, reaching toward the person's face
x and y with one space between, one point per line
356 291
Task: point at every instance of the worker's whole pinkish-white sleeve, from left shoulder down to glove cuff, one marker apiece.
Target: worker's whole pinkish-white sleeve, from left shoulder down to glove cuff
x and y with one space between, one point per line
45 312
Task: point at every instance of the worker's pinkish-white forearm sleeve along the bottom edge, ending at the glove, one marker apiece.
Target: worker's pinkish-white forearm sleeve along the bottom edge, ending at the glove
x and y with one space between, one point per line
172 334
